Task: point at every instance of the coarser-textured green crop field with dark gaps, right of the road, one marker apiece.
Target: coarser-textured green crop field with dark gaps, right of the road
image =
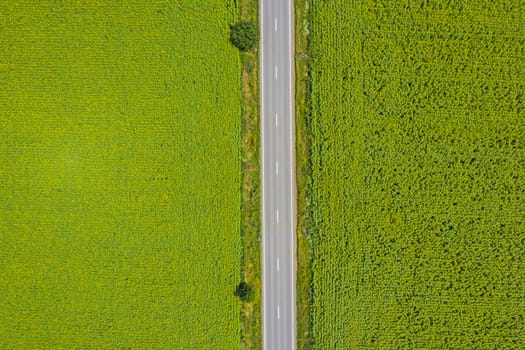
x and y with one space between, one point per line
417 130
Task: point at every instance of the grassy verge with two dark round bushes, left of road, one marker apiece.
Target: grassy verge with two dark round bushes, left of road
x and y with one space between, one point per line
251 313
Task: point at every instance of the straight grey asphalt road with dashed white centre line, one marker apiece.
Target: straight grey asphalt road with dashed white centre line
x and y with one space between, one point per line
278 174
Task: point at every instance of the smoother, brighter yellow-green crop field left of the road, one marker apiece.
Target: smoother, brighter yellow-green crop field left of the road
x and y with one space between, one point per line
120 175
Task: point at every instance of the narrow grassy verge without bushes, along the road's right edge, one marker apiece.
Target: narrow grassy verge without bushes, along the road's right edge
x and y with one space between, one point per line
303 171
